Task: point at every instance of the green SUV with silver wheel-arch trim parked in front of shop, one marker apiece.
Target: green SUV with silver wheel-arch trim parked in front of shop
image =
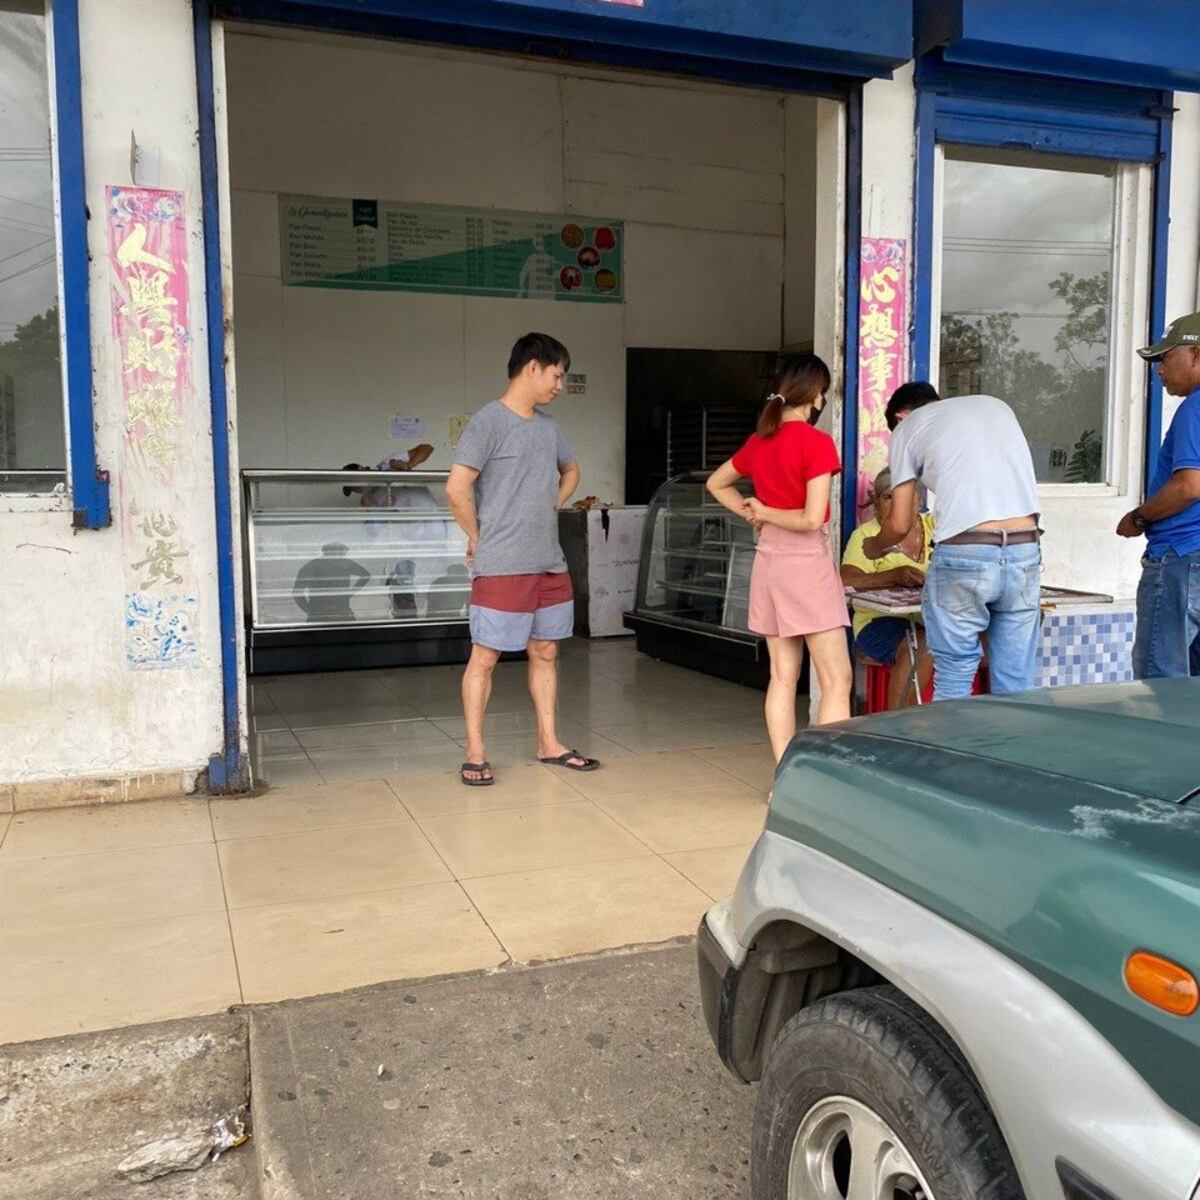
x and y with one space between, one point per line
962 958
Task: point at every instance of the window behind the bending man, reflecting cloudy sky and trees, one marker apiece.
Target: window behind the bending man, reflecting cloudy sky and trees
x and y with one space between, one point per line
1027 297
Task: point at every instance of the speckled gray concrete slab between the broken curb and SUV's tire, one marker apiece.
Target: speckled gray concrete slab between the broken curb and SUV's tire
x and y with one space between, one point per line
586 1081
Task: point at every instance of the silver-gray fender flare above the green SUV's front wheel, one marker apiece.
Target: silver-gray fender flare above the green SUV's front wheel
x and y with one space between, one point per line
1057 1087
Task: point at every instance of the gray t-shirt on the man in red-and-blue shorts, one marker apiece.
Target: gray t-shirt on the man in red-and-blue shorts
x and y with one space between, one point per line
517 495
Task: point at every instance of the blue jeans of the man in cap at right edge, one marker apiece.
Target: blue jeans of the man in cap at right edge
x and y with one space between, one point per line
1168 617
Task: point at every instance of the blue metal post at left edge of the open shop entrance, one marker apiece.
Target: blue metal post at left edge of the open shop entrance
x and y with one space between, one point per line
225 769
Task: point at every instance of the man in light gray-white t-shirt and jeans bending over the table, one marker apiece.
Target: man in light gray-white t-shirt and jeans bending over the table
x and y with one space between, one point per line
986 577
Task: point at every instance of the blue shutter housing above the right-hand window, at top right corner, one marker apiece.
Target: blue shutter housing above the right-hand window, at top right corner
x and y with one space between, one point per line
1144 44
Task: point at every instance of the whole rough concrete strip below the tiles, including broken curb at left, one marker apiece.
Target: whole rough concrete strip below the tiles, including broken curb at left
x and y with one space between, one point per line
586 1081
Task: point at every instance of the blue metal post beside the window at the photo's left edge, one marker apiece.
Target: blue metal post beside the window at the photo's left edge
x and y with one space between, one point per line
89 484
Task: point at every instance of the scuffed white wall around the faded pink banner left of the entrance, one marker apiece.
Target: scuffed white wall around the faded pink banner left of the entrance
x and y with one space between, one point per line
69 704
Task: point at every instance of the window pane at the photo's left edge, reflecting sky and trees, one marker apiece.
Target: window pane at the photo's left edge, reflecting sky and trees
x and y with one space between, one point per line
33 446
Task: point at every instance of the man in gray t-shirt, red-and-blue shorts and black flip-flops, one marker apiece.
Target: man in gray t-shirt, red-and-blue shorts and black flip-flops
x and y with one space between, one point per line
513 472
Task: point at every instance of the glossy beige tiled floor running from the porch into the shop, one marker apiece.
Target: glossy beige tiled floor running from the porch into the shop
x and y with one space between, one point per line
369 861
